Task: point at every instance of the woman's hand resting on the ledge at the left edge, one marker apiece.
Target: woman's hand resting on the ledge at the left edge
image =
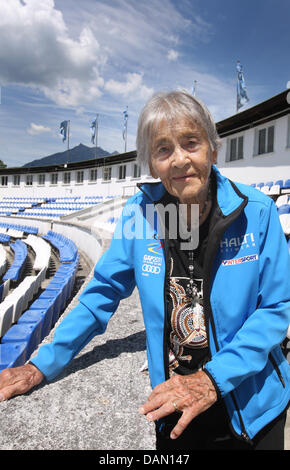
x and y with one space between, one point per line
18 380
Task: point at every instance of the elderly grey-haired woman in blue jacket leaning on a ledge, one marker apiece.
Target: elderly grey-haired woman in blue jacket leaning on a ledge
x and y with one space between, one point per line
216 309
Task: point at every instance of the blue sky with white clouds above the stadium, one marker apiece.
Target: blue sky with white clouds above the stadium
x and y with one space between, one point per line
71 60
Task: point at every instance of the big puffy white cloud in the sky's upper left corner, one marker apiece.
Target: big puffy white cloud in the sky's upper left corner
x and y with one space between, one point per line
37 51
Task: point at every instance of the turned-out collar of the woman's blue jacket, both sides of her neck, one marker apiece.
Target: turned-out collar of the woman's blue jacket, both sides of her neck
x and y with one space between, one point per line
229 198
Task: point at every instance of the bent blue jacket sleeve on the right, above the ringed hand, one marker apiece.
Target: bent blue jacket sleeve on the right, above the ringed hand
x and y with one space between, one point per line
264 329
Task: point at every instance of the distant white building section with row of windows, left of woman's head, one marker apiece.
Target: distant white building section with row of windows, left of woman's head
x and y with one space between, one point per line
115 175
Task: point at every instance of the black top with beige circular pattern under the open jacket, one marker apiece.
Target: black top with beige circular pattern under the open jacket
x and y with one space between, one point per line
186 328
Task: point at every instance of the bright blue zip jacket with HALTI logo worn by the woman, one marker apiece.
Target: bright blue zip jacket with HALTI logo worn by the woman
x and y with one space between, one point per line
246 300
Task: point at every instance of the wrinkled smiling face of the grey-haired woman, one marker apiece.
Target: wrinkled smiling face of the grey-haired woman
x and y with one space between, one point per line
182 158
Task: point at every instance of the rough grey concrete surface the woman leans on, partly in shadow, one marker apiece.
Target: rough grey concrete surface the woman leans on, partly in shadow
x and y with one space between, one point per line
94 403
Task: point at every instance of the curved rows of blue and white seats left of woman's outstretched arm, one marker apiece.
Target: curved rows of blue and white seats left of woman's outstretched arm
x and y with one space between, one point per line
26 314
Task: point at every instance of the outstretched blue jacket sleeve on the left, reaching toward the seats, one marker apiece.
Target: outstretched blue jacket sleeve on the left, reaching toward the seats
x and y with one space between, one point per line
113 280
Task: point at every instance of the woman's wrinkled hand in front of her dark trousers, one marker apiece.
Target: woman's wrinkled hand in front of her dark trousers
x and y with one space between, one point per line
190 394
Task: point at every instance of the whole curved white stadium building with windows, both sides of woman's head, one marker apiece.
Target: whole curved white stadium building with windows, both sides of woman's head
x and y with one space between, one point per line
255 148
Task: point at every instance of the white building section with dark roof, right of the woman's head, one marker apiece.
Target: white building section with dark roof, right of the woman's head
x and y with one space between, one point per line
256 142
